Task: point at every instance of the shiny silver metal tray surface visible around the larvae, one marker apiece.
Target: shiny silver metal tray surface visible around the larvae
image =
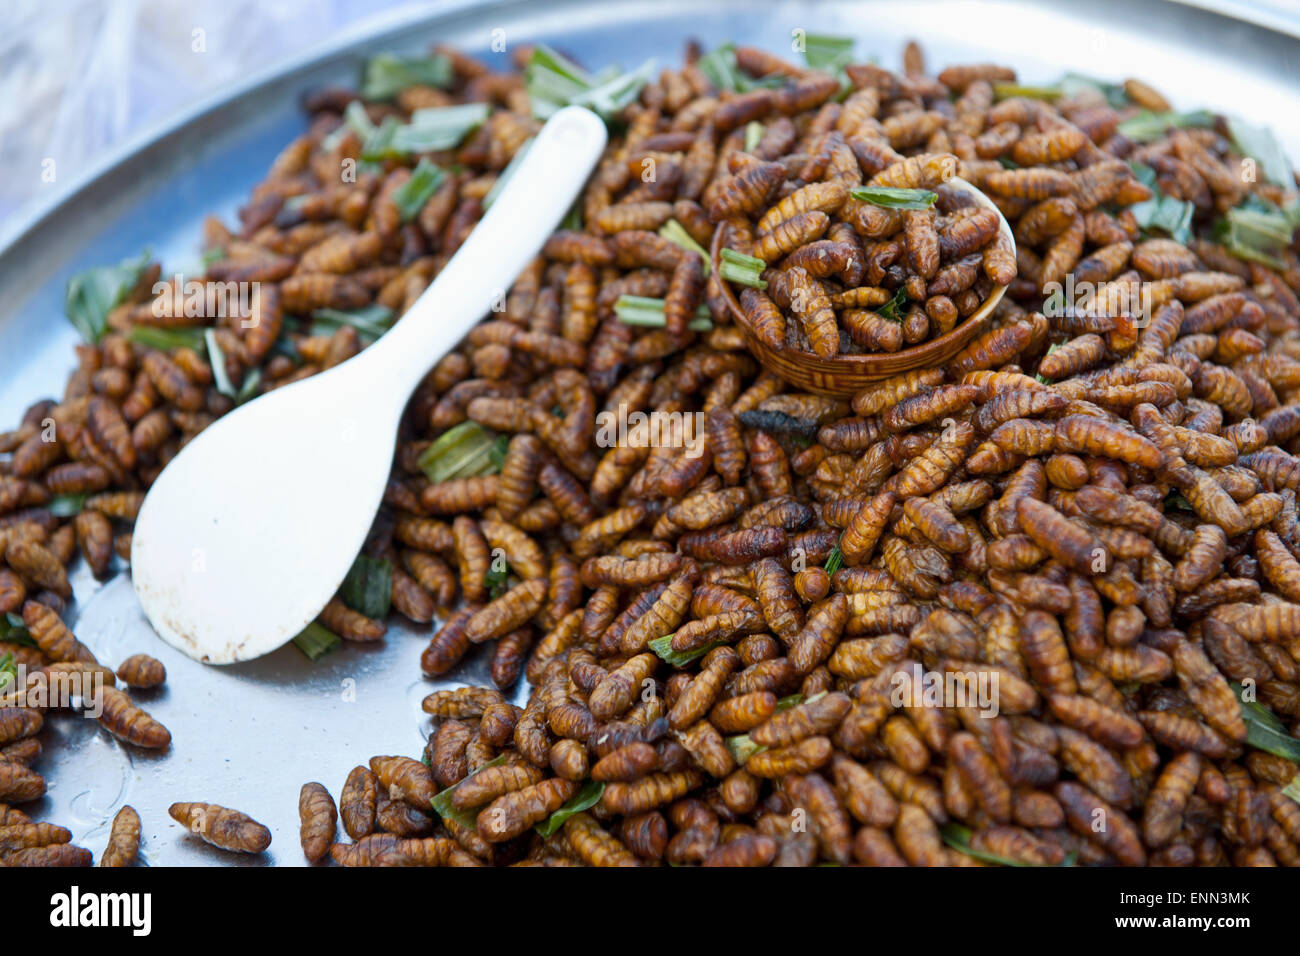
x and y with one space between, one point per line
250 736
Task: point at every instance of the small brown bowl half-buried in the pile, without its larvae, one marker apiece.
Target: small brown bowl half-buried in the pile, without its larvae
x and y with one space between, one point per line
846 375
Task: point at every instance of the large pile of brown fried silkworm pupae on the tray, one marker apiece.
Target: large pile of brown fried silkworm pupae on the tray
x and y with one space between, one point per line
730 641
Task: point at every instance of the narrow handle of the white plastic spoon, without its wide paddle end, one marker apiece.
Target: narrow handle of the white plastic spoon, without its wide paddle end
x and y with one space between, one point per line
526 213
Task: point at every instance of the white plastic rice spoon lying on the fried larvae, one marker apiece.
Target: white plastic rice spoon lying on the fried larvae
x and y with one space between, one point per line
249 533
